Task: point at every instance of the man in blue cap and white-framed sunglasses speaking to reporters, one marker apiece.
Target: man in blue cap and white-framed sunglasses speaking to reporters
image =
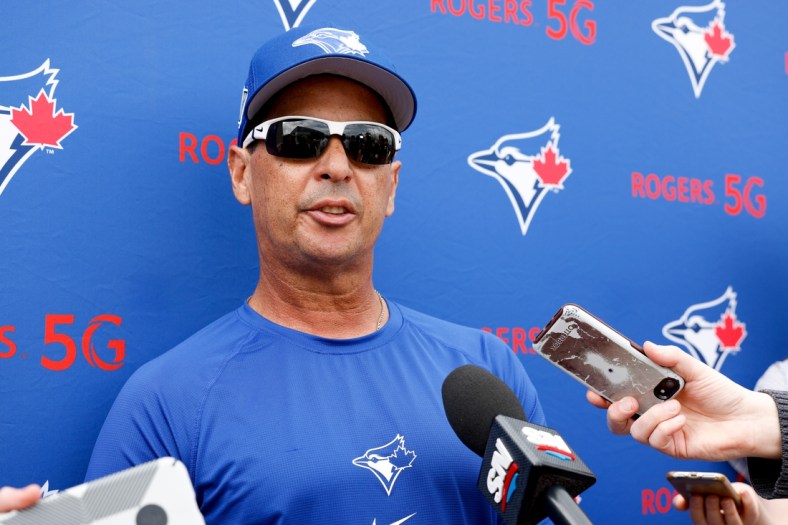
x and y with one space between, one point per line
316 401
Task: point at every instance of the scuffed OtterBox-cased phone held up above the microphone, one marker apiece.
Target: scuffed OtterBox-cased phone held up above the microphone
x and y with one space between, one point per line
603 360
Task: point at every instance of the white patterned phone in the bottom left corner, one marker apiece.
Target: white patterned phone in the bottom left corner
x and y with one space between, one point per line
156 492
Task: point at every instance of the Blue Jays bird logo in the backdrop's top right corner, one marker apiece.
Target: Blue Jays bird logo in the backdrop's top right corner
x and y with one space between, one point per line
699 35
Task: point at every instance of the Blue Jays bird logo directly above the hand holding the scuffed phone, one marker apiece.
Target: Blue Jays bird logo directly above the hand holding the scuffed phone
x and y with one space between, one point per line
709 331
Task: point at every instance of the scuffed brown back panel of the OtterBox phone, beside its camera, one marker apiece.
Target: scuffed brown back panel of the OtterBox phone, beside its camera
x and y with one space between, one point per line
597 361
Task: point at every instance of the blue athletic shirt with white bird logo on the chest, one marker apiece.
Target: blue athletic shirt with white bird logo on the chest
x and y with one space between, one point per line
276 426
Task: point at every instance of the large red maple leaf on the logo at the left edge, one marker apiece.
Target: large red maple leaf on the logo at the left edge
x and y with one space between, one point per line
41 125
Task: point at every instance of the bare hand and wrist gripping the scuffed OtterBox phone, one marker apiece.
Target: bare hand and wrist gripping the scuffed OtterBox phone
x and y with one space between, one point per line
712 418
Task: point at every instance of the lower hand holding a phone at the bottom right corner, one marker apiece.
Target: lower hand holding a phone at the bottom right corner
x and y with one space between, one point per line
754 510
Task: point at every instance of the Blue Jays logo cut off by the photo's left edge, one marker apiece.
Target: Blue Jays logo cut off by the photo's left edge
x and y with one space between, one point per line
29 121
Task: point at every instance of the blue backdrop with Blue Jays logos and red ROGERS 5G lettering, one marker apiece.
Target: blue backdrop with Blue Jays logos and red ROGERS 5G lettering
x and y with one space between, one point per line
626 156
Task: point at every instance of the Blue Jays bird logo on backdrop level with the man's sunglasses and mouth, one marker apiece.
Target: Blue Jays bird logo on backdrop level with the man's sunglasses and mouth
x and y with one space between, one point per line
528 166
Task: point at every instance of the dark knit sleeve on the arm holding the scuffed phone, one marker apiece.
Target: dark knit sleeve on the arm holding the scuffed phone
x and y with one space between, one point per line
770 476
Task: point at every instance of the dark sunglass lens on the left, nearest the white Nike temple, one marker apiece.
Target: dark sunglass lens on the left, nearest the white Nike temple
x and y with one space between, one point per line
297 139
